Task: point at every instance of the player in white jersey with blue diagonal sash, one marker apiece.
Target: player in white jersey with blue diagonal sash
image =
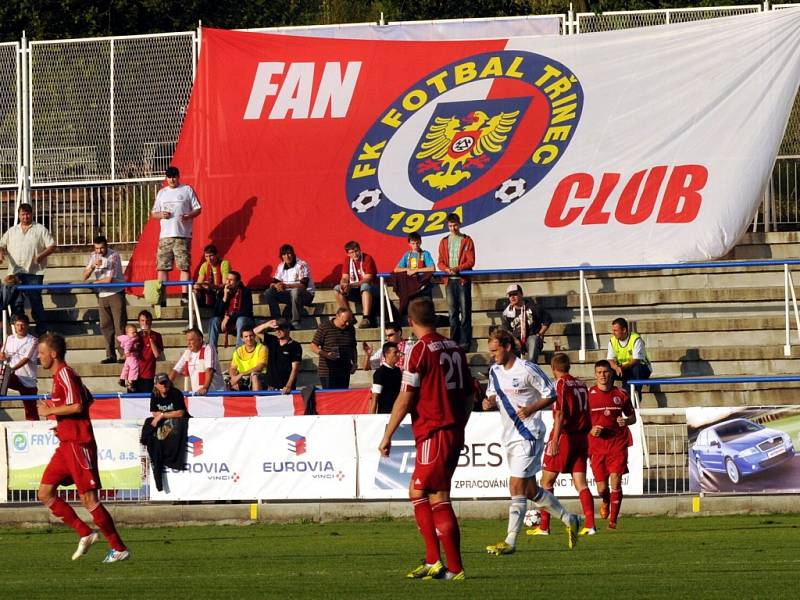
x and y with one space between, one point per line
520 390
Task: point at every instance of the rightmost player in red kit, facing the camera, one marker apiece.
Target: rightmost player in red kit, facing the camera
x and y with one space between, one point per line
609 438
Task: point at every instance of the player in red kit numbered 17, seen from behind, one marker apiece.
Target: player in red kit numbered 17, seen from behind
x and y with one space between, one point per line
568 447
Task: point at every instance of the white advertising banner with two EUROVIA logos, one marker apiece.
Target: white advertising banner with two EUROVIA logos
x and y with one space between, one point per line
299 458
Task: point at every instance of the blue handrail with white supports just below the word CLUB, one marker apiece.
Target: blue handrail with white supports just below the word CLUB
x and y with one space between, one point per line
586 313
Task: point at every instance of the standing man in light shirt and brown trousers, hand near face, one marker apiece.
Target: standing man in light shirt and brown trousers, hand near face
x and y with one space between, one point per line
106 266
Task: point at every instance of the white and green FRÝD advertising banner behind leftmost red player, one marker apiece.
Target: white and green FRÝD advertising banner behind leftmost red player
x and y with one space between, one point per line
30 445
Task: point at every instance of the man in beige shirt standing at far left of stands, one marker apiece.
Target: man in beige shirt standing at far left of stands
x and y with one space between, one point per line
27 245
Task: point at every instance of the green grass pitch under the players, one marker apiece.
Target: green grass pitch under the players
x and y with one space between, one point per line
664 557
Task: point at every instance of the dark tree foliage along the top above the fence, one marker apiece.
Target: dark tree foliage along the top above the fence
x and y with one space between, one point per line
59 19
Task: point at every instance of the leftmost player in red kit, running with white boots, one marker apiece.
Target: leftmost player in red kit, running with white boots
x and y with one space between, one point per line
75 459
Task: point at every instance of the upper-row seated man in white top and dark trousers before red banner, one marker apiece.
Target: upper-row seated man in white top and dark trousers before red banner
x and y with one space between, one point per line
292 284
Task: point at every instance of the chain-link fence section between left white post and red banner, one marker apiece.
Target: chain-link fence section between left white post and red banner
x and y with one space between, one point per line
107 109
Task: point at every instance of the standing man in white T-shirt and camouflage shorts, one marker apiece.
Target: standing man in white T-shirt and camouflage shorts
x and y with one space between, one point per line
176 206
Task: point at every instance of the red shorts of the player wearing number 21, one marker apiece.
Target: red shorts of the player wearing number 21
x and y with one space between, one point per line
437 458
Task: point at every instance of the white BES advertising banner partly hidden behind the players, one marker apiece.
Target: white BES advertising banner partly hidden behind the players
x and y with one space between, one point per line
482 469
